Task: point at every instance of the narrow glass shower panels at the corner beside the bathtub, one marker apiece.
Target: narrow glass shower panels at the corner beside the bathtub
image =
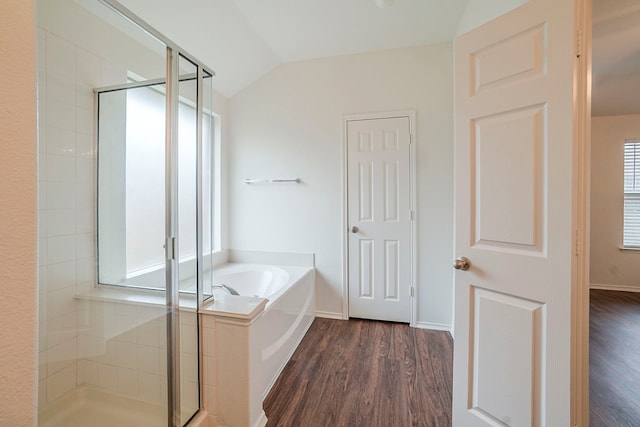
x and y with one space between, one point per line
194 210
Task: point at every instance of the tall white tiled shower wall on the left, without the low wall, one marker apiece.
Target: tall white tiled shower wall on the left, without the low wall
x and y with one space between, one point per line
67 164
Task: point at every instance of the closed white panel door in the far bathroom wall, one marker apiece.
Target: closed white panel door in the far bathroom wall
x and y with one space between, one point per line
379 214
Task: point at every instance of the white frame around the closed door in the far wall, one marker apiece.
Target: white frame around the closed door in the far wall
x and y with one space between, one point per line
344 229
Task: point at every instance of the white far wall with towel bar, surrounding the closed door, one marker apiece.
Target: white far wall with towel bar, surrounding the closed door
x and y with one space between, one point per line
289 124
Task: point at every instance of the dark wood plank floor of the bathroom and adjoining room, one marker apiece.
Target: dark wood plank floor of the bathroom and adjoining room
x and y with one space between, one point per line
365 373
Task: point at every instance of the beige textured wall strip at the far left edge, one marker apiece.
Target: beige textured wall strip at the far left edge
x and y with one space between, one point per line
18 304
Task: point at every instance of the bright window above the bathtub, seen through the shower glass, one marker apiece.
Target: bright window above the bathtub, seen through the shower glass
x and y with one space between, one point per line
131 183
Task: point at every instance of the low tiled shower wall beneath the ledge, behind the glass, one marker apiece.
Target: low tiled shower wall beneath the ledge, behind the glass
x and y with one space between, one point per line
122 349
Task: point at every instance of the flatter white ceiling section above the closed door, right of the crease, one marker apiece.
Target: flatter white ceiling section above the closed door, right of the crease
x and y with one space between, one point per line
297 30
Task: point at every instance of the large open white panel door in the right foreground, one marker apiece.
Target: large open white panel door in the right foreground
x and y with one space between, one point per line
513 169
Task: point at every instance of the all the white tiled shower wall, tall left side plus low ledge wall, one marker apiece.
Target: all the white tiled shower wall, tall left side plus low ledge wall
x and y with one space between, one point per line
118 347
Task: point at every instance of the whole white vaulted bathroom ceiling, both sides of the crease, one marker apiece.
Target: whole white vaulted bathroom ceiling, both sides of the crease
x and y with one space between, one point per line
244 39
